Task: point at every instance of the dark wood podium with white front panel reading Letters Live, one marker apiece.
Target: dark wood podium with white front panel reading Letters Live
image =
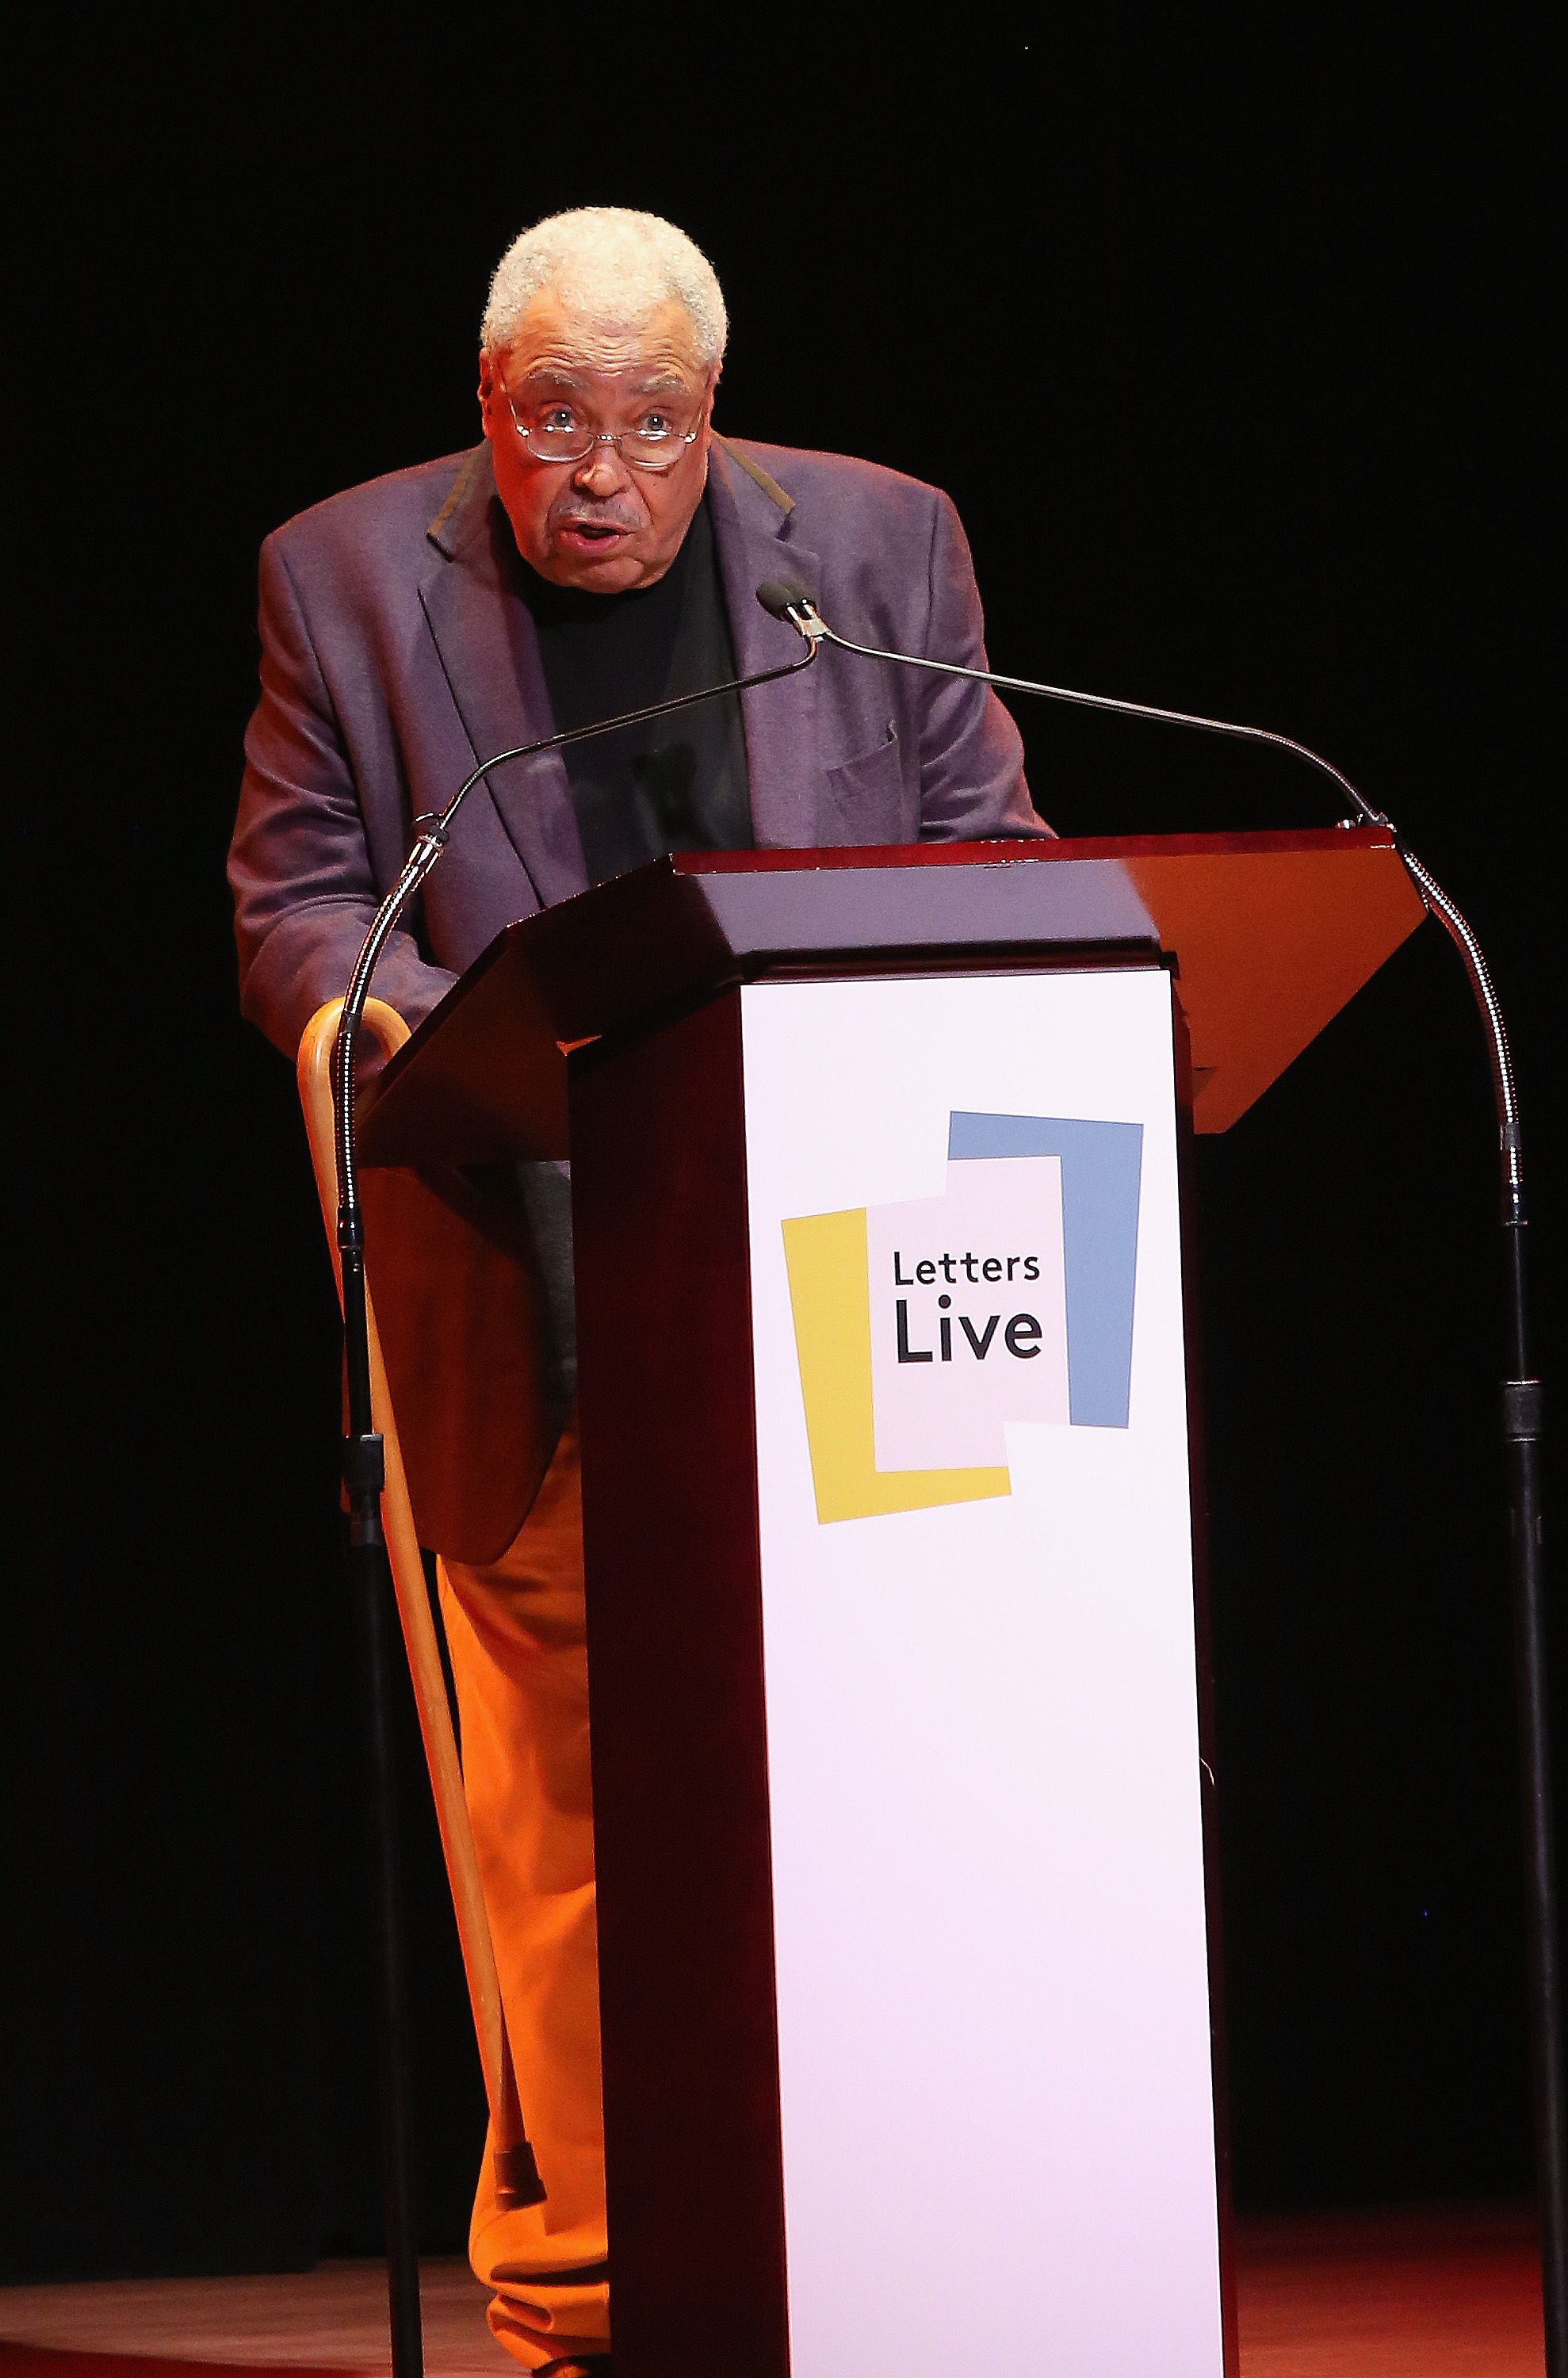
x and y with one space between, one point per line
896 1592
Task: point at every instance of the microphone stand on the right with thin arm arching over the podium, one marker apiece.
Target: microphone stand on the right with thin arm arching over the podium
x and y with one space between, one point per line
1522 1428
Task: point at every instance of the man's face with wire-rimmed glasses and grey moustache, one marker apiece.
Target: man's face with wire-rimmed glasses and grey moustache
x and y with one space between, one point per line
598 524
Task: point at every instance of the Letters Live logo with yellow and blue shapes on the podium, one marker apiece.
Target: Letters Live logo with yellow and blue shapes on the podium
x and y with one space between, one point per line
929 1326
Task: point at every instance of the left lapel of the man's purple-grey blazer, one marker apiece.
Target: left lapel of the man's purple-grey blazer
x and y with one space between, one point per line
491 662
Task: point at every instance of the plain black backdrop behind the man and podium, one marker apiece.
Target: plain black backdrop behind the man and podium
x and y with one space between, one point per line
1236 365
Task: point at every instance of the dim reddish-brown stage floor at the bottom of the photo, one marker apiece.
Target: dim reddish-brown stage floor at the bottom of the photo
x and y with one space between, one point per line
1334 2296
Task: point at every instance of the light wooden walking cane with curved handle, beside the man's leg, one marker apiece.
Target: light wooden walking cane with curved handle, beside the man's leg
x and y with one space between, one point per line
515 2170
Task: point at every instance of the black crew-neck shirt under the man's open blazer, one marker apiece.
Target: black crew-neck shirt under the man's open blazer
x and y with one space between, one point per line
675 784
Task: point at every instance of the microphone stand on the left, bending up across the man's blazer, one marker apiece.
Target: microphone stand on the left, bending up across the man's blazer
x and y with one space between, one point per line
370 1571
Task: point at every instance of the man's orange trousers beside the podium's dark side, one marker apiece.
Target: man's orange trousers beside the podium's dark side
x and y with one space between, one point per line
520 1661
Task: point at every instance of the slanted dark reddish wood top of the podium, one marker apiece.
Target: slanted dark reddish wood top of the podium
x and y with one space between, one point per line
1269 933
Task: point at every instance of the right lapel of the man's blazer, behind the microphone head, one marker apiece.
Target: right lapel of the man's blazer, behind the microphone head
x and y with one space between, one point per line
779 719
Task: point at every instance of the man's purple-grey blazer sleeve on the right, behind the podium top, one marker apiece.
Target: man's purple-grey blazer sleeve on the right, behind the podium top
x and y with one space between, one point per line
972 753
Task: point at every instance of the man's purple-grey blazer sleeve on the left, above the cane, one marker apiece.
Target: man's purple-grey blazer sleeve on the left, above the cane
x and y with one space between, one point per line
301 864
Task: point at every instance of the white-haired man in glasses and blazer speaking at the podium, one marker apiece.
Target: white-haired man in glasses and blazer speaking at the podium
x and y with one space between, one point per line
598 551
